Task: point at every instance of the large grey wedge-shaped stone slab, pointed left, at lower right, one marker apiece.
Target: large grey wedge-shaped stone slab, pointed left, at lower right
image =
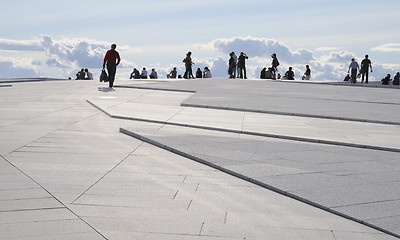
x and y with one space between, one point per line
340 182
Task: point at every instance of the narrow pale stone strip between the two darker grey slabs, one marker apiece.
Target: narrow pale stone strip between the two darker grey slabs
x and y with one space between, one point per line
336 132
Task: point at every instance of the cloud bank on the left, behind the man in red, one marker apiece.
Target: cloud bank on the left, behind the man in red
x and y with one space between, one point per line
65 55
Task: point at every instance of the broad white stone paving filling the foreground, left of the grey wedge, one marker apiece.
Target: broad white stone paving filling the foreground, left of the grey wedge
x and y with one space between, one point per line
67 173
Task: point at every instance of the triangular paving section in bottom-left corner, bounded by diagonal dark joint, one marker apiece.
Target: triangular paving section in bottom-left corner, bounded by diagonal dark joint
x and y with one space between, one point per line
29 212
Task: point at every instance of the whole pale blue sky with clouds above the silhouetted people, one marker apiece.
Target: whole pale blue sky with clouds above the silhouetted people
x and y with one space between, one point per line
46 38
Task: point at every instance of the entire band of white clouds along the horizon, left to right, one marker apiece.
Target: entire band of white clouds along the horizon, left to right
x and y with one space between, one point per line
66 55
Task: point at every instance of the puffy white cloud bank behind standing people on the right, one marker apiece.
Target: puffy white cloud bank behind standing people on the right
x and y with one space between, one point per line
331 66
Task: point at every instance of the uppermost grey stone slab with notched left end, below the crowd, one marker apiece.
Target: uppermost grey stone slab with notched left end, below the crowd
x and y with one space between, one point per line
294 98
